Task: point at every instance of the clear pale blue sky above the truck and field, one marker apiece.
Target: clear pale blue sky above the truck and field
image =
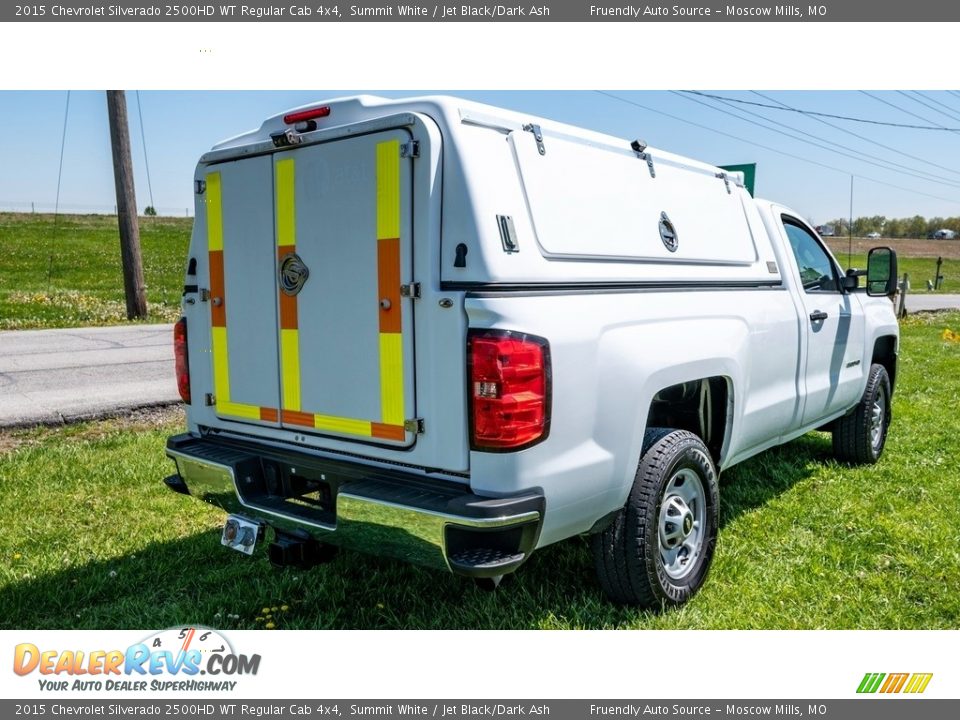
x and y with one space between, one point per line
180 126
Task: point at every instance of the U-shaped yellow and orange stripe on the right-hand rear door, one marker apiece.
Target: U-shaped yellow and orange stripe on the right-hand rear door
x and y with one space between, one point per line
390 313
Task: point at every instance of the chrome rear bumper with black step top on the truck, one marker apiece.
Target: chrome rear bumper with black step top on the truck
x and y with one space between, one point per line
427 522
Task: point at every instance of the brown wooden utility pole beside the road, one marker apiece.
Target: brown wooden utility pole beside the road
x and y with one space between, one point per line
126 206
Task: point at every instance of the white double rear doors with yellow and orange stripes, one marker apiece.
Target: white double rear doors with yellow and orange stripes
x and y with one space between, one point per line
315 331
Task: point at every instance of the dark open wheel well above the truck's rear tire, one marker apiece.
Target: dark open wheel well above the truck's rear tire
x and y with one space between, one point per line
699 406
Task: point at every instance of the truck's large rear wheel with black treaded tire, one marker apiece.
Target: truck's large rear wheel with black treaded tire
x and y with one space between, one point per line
630 555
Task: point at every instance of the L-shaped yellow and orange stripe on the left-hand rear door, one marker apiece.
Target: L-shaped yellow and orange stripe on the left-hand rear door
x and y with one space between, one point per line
219 347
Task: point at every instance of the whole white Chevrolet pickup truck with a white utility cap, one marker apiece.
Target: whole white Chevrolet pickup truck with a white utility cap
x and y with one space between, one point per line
454 334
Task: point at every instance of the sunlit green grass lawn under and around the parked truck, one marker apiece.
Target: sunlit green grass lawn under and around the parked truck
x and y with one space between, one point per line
92 539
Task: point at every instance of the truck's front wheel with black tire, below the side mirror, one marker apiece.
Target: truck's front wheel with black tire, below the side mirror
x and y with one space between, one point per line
859 437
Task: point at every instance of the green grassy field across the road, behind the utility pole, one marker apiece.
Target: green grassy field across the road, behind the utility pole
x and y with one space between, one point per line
66 272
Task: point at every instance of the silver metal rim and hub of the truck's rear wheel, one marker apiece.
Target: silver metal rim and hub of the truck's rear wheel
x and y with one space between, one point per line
681 523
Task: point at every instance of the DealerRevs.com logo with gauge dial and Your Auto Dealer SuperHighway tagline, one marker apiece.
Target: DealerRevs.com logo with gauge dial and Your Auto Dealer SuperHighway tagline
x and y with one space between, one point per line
172 659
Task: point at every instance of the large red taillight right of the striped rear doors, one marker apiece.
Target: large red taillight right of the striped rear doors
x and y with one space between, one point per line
509 389
